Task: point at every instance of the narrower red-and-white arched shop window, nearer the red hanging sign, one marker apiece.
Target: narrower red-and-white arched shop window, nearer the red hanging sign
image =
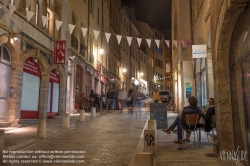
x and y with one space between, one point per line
53 94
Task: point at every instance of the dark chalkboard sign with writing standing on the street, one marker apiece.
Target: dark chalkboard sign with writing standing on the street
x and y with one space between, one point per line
158 112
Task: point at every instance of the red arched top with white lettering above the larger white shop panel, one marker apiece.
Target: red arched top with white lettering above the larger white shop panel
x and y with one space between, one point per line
31 67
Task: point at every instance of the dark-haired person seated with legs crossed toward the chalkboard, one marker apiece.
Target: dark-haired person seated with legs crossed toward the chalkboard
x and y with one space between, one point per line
180 120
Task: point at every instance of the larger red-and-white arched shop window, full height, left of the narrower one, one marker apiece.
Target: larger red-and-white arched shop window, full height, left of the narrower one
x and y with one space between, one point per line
30 89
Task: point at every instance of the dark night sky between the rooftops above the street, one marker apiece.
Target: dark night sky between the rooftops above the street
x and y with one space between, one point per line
157 13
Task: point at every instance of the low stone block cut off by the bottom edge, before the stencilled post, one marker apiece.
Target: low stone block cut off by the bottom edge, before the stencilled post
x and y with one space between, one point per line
143 159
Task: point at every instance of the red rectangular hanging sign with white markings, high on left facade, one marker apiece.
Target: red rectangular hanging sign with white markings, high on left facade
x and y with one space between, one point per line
59 51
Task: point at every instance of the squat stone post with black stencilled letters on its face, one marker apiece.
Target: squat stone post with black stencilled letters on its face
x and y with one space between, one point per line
150 141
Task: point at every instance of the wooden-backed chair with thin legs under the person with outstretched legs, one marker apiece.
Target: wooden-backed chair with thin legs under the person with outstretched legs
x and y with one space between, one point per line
192 120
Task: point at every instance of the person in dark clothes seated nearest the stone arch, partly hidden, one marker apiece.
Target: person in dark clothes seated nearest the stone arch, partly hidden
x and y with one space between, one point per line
206 115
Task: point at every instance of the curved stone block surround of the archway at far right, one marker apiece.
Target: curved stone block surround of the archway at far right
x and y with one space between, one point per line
227 18
